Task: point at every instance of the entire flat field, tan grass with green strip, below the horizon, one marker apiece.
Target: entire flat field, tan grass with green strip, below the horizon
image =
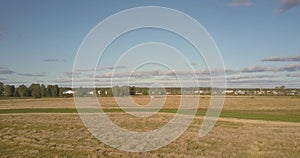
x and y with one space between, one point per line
248 127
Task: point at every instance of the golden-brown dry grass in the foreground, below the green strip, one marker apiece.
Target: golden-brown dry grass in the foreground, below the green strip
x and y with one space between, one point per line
64 135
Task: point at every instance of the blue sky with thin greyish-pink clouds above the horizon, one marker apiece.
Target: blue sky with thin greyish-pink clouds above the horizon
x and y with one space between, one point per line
257 40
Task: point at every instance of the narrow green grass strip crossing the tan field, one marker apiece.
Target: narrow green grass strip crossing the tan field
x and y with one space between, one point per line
286 116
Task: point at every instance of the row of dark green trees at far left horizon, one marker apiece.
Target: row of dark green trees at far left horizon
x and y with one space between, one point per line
34 90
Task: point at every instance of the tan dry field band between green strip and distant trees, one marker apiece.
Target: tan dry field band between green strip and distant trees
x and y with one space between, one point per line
231 103
